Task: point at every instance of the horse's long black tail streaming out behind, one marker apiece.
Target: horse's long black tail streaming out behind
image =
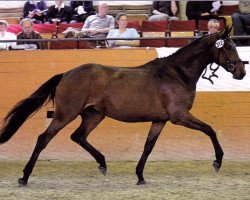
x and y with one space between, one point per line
23 109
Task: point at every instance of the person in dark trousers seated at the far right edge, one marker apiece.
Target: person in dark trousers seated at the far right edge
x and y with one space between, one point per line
241 19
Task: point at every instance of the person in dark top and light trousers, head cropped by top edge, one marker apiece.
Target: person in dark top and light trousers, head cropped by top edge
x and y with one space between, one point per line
164 10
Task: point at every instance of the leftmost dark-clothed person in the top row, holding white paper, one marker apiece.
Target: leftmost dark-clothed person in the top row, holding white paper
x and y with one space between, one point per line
35 11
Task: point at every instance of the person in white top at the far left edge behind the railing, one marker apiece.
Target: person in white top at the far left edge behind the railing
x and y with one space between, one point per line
4 35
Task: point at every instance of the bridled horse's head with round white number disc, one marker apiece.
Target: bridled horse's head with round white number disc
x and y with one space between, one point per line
225 54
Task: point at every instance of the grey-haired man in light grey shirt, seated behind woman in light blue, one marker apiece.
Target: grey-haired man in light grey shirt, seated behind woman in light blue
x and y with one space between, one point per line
100 24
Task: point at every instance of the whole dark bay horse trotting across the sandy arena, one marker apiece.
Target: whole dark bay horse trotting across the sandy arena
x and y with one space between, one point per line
159 91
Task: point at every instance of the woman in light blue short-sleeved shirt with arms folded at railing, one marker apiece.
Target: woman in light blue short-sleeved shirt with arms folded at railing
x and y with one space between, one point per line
123 32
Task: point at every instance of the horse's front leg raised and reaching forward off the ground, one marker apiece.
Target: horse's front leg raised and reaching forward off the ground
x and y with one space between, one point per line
187 120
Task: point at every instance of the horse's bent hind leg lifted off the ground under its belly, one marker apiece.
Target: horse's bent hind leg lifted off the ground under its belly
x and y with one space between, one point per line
90 119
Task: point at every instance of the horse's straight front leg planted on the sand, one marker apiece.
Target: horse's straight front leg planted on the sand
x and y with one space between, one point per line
153 135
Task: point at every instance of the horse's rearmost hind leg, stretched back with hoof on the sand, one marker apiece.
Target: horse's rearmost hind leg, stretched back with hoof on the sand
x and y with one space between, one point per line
42 142
